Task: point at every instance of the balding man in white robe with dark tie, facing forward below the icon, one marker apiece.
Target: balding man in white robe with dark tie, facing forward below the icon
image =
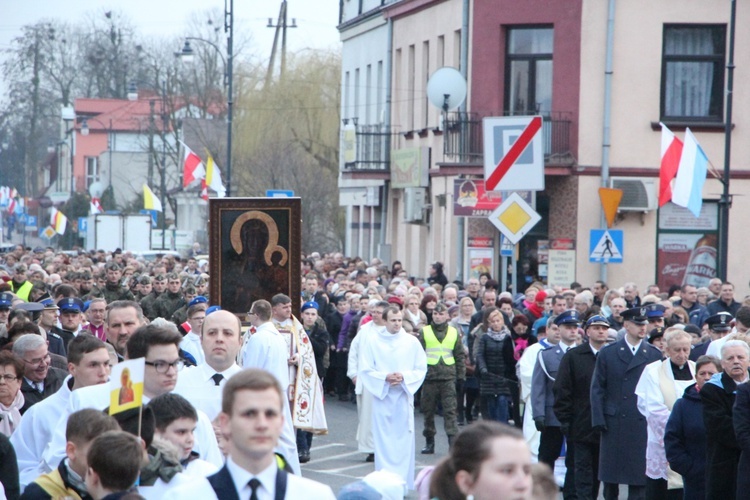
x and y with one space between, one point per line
220 343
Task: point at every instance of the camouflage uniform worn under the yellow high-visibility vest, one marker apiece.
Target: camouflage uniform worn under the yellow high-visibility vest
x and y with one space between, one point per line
440 385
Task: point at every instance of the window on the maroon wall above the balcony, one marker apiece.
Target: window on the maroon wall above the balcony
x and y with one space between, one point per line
528 71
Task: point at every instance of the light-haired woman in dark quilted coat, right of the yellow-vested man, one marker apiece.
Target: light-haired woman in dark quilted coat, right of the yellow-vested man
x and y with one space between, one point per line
493 348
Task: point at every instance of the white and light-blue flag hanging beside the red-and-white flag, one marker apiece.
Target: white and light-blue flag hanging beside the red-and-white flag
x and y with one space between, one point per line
691 175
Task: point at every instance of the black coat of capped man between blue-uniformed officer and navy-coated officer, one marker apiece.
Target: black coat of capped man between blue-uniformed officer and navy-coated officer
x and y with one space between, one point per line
572 392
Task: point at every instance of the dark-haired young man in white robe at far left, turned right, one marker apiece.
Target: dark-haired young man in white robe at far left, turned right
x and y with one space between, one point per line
88 364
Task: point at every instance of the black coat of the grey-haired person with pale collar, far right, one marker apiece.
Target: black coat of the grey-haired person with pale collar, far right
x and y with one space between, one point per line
722 450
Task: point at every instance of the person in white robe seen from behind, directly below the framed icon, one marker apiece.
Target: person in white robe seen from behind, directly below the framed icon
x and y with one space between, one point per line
266 349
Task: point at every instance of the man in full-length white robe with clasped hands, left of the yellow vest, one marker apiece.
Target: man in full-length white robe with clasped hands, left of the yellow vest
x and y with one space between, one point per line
393 368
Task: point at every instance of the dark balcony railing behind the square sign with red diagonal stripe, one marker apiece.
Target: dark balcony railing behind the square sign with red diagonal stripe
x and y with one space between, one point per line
462 140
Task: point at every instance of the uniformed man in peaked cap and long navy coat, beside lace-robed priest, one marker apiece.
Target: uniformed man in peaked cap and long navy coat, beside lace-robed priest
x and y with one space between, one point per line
614 408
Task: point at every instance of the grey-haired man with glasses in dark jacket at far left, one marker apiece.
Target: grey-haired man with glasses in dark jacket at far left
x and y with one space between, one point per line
40 380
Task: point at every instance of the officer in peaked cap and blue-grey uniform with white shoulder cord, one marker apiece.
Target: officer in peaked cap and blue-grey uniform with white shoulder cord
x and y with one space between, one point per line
542 397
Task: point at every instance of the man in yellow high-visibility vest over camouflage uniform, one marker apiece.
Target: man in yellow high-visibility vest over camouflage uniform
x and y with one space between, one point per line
445 365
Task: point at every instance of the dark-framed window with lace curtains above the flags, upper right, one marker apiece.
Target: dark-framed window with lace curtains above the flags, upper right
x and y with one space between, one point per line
692 78
